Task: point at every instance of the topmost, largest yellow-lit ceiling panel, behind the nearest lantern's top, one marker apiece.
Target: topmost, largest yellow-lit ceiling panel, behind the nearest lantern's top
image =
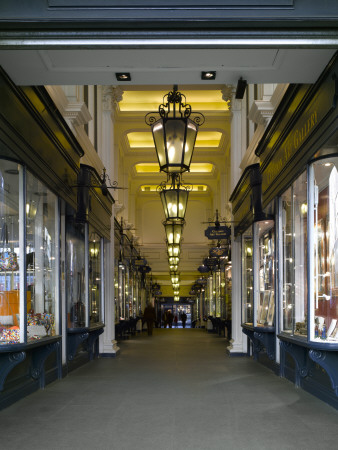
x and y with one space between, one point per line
146 101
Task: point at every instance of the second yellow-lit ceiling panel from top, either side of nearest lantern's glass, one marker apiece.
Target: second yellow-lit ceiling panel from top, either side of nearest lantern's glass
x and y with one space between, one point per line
144 139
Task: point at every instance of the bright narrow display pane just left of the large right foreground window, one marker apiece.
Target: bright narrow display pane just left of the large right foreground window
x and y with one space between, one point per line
264 247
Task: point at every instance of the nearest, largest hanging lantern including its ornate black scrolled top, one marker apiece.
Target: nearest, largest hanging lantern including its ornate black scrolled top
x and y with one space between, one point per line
174 127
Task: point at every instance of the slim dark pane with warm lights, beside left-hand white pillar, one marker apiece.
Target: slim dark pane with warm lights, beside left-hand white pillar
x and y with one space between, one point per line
95 277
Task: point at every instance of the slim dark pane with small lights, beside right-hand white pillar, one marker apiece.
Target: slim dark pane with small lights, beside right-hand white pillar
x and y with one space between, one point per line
247 277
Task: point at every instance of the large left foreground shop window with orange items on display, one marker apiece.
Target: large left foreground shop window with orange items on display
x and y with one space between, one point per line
29 257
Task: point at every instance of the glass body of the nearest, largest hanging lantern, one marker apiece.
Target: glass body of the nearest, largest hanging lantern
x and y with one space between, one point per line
174 140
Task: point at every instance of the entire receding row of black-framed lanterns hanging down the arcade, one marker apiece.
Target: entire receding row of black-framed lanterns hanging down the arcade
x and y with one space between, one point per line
174 128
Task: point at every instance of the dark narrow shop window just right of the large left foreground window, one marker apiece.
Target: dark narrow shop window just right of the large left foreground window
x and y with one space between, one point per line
76 289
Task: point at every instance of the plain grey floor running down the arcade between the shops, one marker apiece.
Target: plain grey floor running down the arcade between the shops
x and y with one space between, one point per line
174 390
